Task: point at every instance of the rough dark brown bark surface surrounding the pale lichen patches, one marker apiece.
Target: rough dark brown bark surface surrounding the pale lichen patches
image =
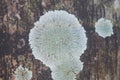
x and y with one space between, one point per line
101 58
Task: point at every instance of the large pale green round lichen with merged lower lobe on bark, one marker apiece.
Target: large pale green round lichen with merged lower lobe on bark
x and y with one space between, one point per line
58 40
